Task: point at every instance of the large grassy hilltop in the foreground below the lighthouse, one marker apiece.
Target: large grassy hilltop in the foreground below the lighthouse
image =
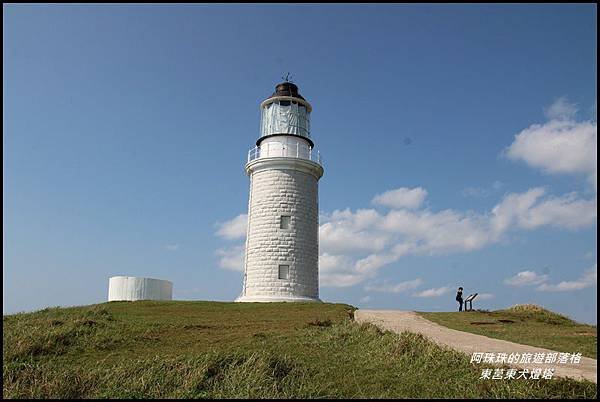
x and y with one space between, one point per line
232 350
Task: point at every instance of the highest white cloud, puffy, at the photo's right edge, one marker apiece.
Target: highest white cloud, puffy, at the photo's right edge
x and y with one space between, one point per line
561 145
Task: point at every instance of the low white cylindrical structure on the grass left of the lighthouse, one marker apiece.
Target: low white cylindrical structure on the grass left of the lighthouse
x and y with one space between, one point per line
133 288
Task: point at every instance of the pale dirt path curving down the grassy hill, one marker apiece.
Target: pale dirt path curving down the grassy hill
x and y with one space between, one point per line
399 321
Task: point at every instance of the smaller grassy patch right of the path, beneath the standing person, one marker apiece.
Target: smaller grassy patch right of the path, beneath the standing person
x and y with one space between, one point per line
526 324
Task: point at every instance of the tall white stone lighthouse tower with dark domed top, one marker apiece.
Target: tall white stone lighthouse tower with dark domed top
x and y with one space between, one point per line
282 243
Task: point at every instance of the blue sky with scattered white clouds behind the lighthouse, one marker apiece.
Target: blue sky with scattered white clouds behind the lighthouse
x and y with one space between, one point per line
459 146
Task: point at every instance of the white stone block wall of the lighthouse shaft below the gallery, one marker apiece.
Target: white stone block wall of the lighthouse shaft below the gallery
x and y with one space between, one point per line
273 193
